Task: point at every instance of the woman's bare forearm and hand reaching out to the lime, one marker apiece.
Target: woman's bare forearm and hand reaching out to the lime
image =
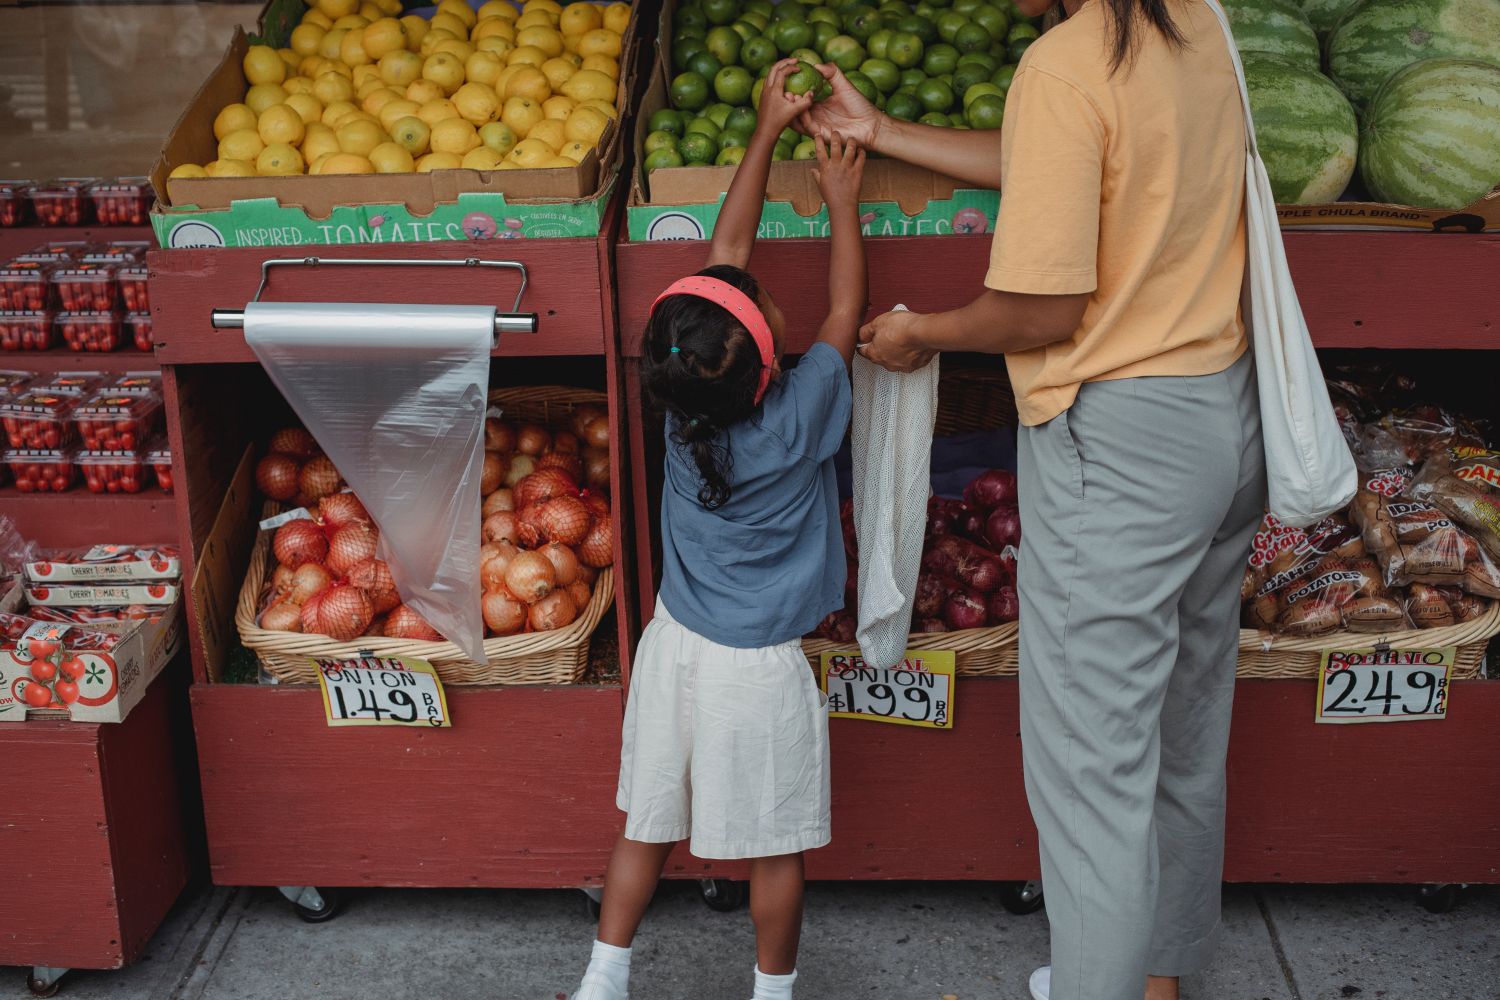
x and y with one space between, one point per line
970 157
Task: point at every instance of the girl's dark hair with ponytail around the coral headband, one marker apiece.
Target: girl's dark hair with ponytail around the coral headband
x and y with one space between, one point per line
709 382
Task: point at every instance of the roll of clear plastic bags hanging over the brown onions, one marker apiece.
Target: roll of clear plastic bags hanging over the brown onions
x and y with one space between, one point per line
397 398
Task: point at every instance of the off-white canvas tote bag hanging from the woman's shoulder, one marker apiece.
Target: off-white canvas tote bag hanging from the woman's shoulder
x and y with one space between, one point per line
1310 470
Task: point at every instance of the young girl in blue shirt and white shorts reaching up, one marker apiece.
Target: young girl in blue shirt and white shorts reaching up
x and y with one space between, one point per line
727 737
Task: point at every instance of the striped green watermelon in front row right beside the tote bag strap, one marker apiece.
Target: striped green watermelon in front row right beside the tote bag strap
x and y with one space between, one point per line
1306 131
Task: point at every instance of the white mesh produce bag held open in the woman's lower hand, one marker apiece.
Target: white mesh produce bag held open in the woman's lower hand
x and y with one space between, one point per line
893 439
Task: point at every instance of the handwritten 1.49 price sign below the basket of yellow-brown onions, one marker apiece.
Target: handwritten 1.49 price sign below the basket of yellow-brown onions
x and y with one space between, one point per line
382 692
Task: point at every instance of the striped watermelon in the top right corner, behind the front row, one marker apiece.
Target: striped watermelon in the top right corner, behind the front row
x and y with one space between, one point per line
1381 37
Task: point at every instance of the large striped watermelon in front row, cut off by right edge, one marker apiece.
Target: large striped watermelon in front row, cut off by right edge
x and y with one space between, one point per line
1432 136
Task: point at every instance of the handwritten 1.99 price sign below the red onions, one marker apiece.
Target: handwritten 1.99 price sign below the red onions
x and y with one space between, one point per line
917 693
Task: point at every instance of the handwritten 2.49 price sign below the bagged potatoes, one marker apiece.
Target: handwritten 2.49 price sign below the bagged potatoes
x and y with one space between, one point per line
1384 686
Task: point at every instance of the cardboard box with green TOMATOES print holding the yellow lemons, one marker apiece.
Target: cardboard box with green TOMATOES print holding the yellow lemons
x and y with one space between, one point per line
454 205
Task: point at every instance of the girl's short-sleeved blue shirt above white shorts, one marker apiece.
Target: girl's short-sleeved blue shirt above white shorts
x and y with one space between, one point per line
769 566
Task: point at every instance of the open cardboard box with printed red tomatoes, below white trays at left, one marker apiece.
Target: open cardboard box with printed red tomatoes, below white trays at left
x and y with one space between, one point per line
110 684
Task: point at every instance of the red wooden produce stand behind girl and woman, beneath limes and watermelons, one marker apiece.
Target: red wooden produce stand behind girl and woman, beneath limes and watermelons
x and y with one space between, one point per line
1309 803
